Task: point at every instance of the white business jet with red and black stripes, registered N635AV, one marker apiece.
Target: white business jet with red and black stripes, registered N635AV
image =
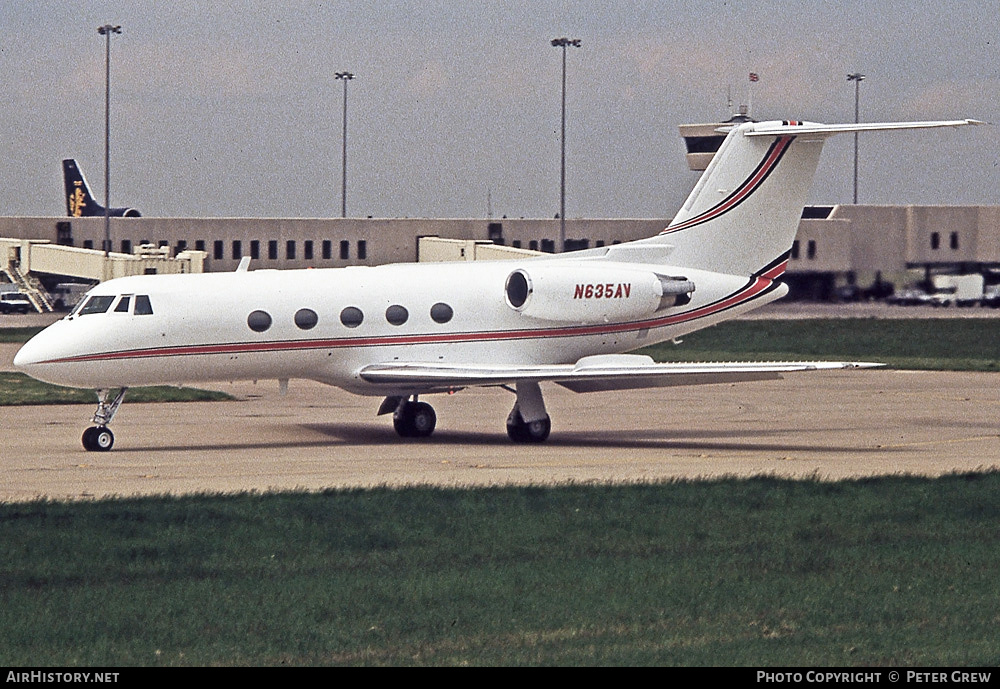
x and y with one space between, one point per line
401 331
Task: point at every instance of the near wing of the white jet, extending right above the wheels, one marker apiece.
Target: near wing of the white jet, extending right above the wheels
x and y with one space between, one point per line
589 374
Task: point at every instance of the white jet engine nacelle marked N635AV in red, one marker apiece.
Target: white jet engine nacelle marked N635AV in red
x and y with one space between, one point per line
593 293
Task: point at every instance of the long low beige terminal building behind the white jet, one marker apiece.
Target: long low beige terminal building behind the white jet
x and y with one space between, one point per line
836 245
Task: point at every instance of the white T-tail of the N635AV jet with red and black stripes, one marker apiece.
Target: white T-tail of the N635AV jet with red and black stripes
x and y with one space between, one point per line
742 216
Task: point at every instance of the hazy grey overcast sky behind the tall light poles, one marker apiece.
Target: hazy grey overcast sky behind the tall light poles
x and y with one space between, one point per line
228 108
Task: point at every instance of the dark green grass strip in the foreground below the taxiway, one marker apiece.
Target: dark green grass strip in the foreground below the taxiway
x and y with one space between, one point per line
760 572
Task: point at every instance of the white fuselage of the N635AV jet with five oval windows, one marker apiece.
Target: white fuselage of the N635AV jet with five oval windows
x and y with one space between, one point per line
327 324
